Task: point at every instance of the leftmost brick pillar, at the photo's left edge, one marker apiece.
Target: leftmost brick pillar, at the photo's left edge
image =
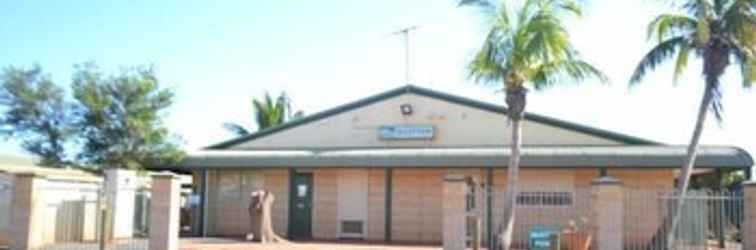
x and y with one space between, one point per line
24 227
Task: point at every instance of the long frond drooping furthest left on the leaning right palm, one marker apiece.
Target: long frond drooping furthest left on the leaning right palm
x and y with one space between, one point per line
656 56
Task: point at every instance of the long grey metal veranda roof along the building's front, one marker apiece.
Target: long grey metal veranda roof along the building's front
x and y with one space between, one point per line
653 156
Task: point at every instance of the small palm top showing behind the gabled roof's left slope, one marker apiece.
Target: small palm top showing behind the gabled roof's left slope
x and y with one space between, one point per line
268 113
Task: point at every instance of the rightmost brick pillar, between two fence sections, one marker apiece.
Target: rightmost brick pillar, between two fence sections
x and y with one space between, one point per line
607 204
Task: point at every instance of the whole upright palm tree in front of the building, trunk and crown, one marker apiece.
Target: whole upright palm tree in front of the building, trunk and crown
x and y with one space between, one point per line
527 47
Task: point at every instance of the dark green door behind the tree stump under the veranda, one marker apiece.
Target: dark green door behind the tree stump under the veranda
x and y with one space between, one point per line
300 209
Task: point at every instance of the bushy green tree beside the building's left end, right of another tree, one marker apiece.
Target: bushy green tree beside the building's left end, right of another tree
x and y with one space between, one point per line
120 118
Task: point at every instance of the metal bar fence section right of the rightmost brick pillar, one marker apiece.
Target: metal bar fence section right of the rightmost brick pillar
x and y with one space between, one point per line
708 219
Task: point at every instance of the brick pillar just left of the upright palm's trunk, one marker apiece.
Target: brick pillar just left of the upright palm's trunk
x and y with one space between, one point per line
454 222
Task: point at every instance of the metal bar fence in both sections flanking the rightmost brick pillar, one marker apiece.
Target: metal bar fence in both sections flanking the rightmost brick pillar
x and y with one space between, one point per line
560 218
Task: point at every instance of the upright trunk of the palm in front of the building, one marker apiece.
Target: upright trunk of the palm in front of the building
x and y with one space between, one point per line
516 101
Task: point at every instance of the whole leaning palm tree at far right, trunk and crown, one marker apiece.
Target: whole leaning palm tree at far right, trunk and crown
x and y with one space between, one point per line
718 31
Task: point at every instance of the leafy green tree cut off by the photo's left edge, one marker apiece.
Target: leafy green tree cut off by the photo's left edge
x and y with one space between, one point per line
35 111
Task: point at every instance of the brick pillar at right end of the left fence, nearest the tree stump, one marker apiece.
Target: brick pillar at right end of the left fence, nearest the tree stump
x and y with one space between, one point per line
164 212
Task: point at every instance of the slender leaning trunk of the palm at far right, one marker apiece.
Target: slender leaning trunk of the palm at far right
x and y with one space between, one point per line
665 235
